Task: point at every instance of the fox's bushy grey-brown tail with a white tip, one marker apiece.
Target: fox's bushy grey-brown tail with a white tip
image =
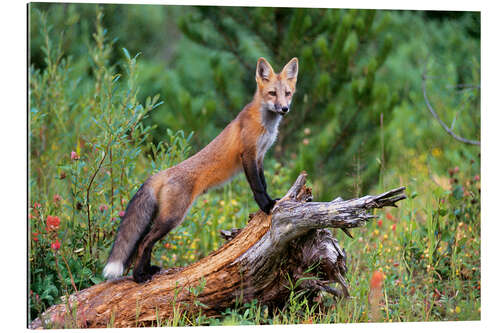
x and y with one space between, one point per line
139 213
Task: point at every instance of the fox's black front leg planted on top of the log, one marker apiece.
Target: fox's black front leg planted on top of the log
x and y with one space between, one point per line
257 182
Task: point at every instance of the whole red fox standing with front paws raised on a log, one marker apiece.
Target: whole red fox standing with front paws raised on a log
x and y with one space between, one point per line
162 202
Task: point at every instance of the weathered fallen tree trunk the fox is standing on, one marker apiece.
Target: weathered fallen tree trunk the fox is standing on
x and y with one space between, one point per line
256 263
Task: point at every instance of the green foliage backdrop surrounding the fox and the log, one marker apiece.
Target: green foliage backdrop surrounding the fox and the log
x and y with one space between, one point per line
358 124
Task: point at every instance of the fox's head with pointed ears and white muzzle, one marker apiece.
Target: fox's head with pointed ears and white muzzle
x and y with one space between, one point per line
276 90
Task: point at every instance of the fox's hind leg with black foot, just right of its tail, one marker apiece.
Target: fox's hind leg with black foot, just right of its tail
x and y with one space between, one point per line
171 212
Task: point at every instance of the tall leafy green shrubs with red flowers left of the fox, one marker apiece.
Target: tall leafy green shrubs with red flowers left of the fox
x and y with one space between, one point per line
86 138
